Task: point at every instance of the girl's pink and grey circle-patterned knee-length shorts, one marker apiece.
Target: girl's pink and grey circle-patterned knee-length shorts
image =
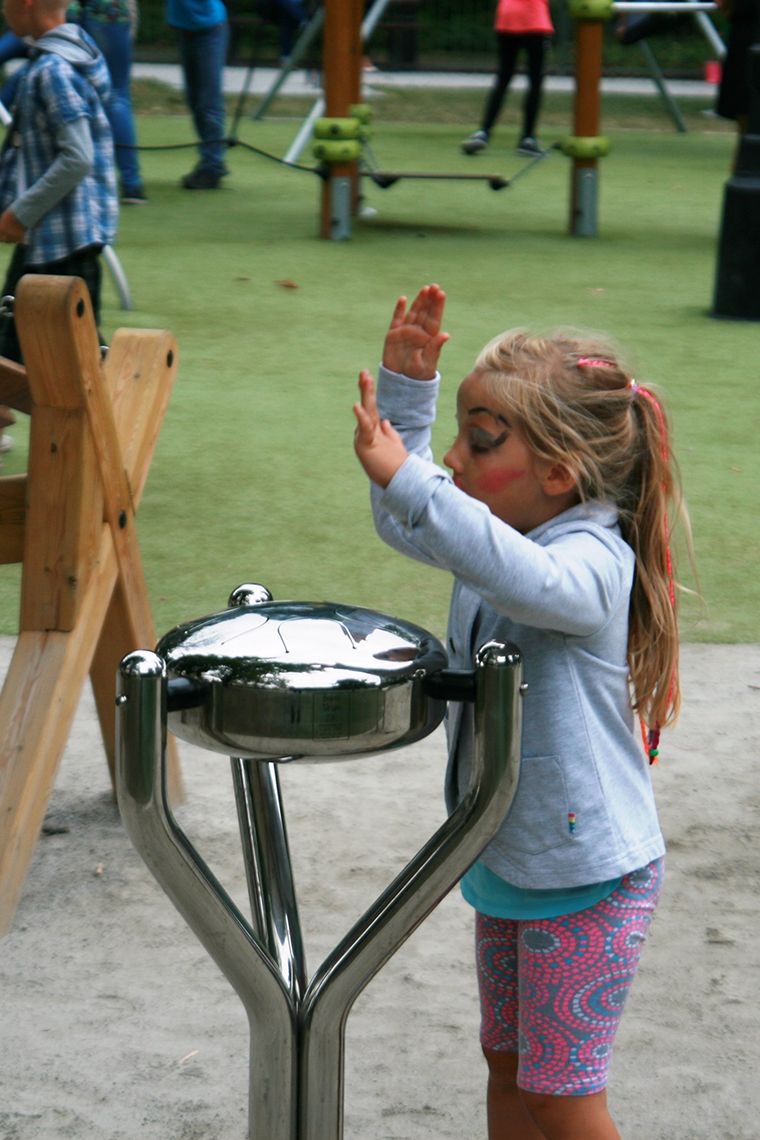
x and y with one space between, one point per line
554 990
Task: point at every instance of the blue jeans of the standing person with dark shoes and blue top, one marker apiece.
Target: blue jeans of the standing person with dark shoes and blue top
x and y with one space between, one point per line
203 55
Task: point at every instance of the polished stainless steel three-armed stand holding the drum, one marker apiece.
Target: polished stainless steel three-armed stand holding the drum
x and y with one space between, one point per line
298 1029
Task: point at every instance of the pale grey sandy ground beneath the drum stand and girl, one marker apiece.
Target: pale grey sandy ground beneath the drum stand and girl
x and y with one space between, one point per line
116 1024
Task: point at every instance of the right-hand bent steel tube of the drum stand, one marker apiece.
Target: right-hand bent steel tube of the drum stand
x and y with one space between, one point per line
413 895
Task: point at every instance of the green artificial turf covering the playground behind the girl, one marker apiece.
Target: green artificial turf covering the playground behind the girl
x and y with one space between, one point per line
255 476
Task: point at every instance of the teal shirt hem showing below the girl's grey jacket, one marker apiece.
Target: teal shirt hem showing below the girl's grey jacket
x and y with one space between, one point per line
501 900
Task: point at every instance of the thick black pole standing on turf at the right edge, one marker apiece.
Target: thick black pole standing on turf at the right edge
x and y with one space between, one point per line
738 276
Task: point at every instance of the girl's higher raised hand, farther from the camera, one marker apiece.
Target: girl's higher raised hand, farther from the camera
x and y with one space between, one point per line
414 341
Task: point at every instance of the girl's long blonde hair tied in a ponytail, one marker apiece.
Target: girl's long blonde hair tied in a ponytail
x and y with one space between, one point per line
576 404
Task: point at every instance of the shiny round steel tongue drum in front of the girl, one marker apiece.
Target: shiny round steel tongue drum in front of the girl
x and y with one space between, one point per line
300 681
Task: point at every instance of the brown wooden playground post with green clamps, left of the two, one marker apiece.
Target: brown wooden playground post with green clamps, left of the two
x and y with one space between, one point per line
342 78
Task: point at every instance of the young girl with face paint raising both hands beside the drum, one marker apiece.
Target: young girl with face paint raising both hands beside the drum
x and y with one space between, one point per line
555 525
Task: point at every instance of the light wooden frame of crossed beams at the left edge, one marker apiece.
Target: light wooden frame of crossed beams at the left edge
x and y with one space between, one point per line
71 523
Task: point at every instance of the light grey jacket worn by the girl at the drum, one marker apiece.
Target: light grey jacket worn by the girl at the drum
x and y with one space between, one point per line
561 595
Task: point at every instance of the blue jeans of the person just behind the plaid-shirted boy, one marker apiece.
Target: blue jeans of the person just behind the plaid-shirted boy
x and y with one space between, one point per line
116 44
